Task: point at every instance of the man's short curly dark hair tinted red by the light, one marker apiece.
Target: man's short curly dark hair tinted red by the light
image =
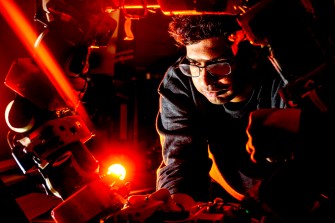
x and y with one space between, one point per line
191 29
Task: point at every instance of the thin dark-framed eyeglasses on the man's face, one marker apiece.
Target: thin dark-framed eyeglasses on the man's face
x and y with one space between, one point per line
216 69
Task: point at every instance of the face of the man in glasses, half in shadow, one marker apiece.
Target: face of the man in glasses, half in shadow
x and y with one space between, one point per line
218 89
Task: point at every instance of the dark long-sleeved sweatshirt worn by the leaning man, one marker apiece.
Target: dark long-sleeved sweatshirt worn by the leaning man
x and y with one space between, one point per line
188 124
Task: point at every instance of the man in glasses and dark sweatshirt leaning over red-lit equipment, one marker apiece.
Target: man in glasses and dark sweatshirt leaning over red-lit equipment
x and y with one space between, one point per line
205 101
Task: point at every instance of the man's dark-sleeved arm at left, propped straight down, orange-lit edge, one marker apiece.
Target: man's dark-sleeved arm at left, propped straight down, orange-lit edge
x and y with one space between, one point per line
185 167
